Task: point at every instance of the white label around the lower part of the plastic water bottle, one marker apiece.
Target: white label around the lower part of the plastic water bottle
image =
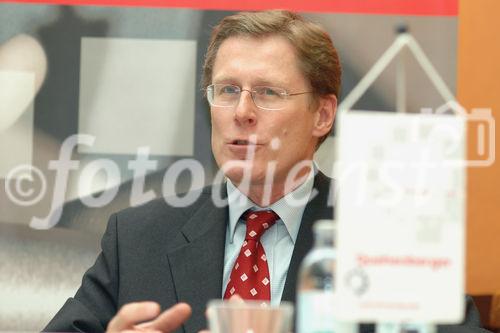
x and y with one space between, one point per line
316 314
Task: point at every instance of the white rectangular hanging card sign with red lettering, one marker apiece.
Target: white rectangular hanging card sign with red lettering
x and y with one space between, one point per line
400 214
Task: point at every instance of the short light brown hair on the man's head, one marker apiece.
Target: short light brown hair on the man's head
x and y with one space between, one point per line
318 58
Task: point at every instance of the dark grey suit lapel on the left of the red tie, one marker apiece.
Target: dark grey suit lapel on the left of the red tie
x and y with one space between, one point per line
197 264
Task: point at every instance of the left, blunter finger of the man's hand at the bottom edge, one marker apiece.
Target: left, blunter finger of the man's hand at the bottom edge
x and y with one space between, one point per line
133 313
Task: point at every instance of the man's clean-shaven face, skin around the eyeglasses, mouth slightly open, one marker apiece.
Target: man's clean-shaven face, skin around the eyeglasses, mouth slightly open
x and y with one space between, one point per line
283 137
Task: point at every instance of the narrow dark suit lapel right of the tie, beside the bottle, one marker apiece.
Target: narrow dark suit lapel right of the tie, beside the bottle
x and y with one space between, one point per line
318 208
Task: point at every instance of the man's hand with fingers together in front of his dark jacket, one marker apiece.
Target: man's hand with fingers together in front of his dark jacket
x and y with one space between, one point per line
127 319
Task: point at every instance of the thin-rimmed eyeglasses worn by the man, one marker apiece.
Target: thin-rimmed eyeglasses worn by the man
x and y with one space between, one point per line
266 98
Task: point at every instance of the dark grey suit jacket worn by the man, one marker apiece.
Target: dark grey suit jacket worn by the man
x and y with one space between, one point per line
159 253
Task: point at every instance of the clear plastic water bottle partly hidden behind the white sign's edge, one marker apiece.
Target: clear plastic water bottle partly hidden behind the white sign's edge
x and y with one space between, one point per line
316 304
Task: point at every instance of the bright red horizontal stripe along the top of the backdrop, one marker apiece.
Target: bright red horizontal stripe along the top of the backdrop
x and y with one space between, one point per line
387 7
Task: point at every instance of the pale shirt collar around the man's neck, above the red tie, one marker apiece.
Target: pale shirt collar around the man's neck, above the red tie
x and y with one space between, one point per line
287 208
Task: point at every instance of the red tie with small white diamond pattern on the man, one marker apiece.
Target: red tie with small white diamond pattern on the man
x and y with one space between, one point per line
250 275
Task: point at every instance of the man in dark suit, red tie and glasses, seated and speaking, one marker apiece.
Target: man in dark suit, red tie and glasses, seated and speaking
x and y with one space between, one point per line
272 80
